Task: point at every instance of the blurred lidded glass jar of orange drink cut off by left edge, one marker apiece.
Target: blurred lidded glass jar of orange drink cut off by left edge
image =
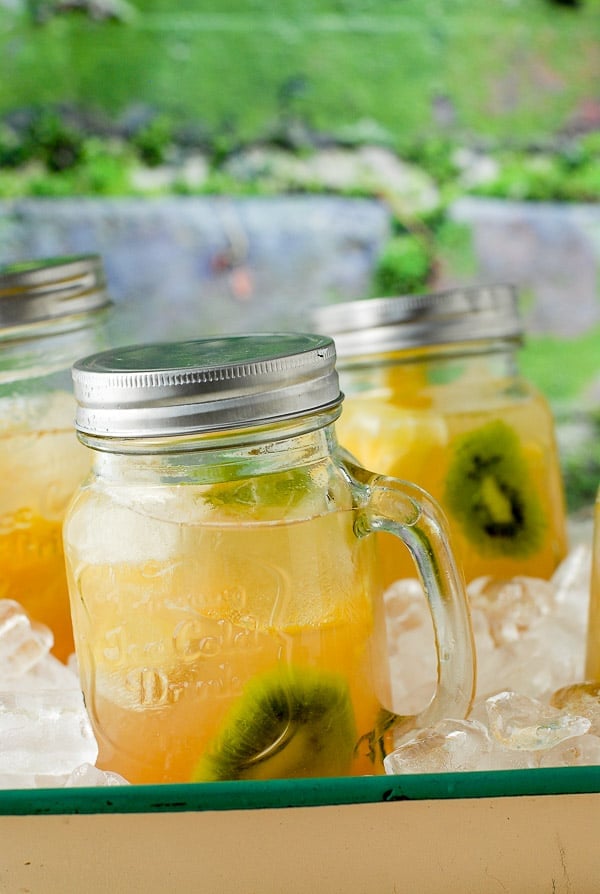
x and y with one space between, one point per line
51 313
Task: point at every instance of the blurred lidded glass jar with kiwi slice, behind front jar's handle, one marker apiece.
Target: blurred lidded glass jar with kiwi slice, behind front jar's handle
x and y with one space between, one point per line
434 395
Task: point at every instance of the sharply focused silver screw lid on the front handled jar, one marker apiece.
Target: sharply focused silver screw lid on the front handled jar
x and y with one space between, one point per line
204 385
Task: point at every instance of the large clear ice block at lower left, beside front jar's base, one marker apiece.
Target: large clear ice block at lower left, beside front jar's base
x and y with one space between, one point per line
44 732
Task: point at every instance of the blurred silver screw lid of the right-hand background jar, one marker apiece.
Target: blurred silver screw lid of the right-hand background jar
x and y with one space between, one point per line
378 325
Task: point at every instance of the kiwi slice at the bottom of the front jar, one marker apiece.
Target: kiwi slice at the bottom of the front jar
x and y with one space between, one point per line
294 722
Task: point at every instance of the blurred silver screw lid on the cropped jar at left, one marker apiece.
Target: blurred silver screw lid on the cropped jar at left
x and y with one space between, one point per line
49 288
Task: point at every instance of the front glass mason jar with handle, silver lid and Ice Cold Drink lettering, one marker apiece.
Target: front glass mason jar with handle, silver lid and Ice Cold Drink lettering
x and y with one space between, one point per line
227 612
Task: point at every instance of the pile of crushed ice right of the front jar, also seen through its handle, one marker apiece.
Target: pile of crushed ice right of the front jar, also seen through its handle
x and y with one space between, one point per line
533 707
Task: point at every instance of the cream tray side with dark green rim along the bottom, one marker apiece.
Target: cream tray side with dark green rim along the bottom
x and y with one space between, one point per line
517 830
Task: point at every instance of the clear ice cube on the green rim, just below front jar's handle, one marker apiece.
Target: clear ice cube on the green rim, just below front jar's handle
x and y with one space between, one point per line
448 746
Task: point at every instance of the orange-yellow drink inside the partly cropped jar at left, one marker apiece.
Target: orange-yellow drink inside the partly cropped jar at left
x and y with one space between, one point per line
41 464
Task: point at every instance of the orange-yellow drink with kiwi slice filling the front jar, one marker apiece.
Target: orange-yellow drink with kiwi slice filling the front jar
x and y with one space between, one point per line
219 649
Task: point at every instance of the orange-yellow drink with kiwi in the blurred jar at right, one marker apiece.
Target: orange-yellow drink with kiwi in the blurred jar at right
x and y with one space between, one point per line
485 450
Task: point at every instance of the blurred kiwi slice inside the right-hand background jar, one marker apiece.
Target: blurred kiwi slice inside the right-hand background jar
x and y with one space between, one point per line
489 492
